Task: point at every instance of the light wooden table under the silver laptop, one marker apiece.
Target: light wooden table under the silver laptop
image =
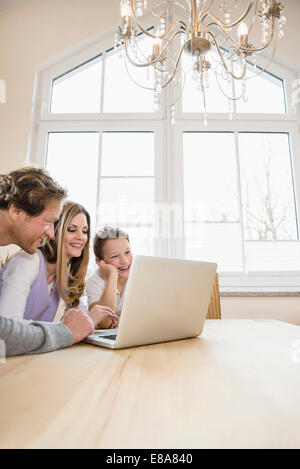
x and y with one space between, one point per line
238 386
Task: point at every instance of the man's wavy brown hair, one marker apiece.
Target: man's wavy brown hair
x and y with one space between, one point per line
29 189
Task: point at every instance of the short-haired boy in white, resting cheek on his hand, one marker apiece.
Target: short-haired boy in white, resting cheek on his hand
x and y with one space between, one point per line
114 258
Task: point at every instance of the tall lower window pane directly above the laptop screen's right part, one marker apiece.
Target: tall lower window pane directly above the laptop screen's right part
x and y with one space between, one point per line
211 195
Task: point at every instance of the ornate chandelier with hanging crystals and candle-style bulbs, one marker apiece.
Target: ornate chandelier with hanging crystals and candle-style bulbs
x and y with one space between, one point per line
213 37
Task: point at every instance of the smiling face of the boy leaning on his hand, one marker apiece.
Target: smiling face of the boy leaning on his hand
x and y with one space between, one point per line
117 252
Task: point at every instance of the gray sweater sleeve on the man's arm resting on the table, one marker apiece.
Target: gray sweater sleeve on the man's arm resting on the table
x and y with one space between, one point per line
35 337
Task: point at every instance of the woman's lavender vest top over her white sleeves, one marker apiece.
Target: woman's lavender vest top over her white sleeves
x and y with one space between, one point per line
41 305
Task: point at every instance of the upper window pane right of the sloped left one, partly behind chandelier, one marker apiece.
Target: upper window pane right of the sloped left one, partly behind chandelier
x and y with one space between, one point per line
121 94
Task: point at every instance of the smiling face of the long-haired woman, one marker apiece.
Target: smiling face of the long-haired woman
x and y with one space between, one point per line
76 236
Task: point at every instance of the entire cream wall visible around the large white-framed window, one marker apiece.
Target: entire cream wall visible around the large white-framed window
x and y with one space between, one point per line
38 30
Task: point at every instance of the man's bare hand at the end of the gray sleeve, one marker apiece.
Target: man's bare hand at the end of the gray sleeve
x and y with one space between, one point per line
79 323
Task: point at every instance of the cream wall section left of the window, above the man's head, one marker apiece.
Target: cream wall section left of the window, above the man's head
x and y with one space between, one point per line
29 35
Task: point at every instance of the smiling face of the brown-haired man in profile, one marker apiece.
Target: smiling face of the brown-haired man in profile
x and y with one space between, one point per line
29 231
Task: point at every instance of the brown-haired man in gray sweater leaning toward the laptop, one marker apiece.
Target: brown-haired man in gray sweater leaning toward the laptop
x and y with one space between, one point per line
30 203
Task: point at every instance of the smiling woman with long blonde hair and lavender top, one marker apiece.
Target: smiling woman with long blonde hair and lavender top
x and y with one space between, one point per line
34 284
